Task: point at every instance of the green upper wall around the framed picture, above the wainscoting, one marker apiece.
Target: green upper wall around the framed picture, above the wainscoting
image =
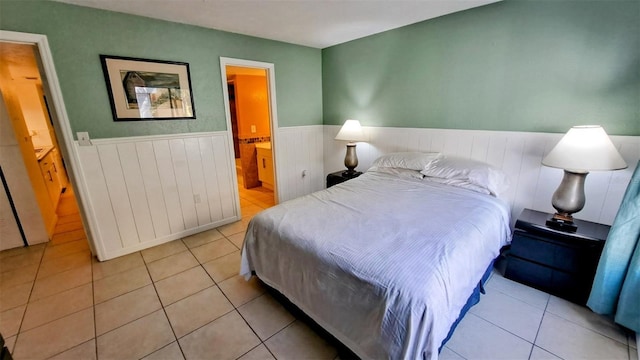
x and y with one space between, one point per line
77 36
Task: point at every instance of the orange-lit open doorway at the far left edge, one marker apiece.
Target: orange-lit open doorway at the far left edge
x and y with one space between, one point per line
33 165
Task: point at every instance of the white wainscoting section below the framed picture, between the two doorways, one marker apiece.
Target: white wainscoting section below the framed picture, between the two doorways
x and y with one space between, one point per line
144 191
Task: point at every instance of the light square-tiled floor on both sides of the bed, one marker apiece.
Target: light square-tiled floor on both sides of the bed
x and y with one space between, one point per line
183 300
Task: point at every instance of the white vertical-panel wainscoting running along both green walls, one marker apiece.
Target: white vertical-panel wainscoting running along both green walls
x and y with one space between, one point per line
144 191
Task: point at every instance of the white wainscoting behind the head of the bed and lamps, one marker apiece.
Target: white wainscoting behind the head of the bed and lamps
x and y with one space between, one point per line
518 154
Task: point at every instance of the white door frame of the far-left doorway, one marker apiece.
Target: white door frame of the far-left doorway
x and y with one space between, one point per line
62 127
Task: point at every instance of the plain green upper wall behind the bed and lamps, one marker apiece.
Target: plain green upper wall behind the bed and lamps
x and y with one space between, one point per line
513 65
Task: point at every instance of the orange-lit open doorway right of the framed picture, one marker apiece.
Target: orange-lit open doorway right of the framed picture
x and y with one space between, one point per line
249 103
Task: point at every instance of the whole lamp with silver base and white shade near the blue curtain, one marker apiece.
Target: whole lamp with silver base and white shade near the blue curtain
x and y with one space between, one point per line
582 149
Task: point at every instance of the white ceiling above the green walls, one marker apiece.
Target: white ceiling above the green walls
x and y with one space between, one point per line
314 23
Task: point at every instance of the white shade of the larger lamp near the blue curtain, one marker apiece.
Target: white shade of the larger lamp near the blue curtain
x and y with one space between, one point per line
583 149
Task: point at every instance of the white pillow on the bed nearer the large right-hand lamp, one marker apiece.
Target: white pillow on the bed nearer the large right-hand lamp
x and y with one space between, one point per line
475 172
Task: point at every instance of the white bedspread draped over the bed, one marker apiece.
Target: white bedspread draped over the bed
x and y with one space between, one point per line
383 263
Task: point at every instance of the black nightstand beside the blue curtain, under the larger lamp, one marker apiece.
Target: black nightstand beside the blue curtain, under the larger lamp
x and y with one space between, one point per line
557 262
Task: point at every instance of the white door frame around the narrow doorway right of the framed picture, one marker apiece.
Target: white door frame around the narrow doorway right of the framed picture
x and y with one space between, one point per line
273 113
